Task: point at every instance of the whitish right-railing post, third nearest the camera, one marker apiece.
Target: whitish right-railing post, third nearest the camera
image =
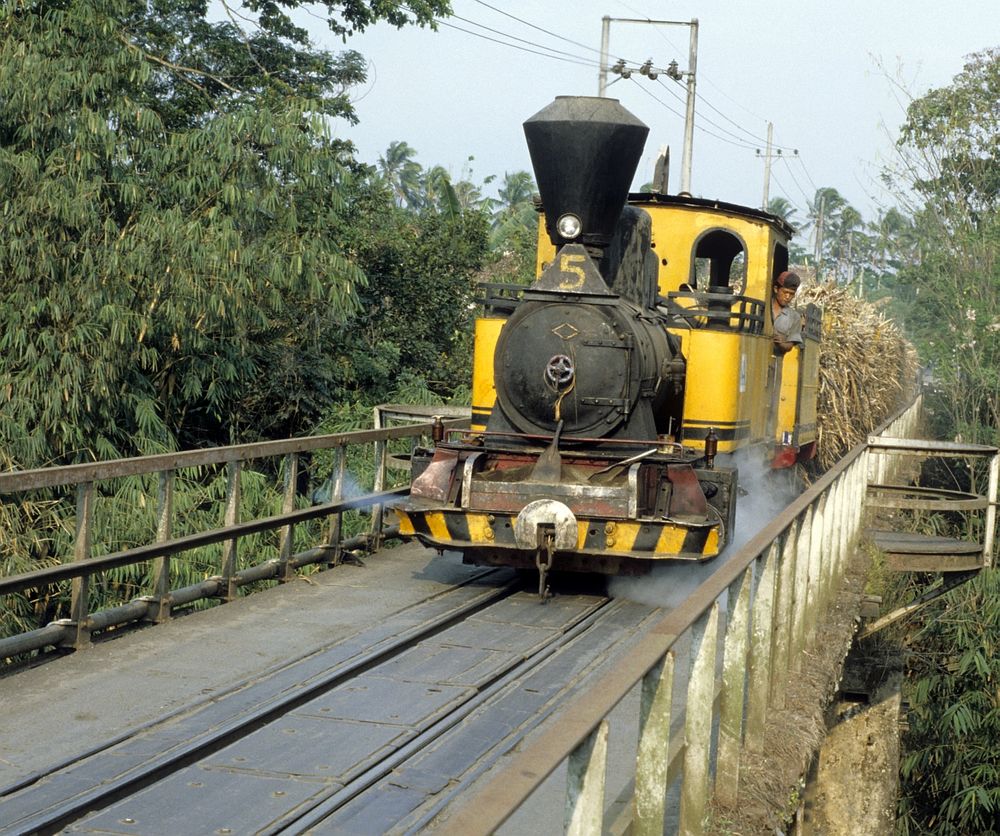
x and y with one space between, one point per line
698 723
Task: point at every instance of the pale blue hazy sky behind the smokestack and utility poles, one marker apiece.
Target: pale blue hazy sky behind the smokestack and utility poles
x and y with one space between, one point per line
832 77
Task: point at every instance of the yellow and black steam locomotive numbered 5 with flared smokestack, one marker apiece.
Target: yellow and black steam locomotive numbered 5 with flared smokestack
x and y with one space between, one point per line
603 395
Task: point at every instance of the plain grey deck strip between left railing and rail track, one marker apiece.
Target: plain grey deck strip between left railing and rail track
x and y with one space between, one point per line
66 707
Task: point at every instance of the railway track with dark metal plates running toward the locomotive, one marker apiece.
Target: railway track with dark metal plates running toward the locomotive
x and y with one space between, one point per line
375 733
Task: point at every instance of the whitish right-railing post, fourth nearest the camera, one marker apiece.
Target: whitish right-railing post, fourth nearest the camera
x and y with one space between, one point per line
734 670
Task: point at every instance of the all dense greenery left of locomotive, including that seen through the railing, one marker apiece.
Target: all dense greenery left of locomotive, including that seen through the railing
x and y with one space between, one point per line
188 258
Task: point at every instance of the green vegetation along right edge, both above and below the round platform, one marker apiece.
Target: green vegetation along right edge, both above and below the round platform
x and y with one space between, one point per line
947 292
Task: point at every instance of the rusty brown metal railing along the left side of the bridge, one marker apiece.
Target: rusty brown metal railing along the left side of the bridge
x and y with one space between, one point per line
82 566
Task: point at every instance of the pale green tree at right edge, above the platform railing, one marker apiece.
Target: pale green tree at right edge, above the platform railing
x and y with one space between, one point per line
950 288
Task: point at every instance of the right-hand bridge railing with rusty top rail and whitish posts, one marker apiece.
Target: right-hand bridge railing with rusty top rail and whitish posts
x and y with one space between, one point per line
774 592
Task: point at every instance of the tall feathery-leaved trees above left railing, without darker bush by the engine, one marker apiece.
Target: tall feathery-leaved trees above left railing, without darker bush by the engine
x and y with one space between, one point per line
169 190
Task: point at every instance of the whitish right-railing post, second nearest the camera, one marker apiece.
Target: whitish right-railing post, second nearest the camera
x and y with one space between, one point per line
653 751
